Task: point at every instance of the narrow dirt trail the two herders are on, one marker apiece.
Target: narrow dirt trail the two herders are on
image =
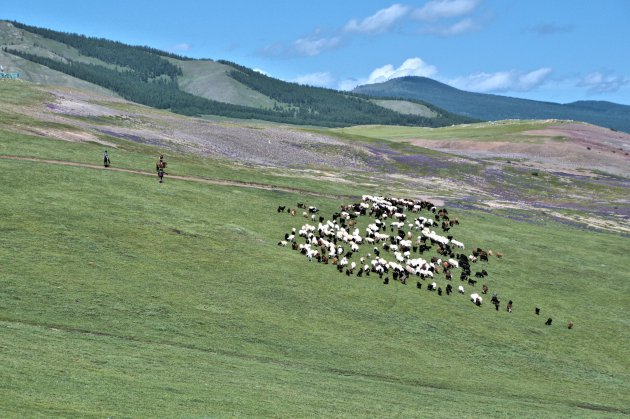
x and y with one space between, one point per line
222 182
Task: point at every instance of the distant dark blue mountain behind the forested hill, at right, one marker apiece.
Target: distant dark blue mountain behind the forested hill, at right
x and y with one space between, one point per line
494 107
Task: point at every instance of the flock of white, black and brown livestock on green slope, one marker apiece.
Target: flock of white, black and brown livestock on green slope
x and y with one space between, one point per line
399 236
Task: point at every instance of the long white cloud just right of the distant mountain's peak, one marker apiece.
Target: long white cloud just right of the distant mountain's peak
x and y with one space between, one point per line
503 81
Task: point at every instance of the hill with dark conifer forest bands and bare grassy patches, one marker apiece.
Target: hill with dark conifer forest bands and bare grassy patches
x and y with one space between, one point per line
195 87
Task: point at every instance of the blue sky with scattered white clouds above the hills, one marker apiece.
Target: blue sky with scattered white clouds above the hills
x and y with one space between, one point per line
551 50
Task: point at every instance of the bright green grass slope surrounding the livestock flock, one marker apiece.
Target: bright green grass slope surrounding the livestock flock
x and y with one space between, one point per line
123 297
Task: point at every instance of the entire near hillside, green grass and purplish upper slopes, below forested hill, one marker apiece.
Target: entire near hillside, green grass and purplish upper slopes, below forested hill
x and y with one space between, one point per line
124 297
